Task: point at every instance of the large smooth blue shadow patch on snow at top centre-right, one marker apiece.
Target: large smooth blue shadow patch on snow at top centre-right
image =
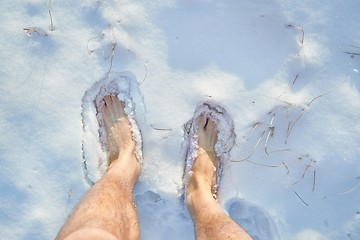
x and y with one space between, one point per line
249 39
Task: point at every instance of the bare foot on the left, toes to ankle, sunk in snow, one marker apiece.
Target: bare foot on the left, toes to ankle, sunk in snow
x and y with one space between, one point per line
121 146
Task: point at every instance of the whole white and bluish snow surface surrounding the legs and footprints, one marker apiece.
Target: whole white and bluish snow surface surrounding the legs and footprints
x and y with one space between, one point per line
286 71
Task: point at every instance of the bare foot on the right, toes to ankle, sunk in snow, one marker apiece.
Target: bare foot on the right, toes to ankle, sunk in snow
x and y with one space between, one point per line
203 177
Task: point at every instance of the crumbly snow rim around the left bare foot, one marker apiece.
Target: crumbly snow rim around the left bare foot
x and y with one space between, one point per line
97 149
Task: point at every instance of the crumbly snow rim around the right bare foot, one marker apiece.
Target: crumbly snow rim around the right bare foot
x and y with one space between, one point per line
214 114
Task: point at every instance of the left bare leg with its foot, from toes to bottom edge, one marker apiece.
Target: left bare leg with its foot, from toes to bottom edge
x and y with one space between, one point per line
107 211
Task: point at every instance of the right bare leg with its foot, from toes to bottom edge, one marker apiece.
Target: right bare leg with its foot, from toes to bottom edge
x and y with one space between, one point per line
210 220
